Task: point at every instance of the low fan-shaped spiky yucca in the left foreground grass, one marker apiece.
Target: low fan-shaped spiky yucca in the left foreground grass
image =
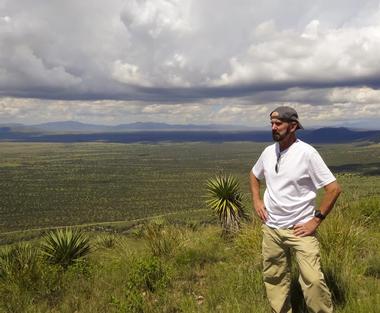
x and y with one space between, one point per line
65 246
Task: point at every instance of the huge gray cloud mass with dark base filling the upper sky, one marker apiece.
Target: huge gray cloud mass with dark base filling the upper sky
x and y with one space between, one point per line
136 49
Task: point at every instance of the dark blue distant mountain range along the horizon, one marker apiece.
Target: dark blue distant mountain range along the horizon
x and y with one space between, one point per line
157 132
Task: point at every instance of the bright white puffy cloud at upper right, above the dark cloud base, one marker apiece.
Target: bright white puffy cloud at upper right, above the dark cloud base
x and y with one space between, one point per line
312 55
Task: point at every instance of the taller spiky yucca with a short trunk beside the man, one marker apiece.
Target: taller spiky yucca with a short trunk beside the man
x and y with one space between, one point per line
225 199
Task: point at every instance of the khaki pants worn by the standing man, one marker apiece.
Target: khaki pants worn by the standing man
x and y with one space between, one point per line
276 270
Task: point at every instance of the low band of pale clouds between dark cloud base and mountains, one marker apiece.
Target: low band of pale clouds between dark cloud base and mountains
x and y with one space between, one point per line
244 111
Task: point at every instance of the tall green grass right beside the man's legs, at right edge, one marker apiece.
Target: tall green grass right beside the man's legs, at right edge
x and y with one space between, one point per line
348 249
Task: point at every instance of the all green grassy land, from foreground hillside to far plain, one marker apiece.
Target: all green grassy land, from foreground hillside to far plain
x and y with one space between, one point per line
155 247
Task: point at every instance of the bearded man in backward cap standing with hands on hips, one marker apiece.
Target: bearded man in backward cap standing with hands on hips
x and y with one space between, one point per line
293 172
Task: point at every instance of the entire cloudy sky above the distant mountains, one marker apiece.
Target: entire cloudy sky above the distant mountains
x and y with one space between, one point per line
190 61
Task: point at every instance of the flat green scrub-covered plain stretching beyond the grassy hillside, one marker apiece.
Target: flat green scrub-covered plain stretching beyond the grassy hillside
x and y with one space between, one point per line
46 185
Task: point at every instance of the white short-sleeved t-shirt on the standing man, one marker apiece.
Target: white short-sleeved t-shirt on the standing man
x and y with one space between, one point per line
290 193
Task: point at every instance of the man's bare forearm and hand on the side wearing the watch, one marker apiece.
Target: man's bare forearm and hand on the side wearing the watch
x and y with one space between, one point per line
332 192
